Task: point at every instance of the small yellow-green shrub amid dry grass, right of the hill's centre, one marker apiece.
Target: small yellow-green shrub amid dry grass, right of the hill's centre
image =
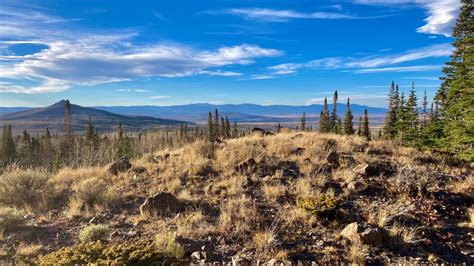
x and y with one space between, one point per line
320 205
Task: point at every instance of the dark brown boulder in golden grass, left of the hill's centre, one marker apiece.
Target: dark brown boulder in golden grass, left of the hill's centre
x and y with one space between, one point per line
161 204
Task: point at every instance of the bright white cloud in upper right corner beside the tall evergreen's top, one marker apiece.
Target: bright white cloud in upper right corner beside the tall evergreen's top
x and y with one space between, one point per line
442 14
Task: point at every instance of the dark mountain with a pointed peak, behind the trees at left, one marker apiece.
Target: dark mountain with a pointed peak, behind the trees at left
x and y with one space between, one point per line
37 119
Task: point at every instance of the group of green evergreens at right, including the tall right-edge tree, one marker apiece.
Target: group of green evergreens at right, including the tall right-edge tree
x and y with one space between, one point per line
449 124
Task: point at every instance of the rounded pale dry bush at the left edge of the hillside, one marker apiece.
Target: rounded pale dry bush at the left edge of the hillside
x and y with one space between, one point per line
26 189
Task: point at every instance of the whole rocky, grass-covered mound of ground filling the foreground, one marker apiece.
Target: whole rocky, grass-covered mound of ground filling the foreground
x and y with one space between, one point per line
287 197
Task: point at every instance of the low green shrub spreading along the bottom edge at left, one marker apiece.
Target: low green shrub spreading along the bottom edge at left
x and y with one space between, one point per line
127 253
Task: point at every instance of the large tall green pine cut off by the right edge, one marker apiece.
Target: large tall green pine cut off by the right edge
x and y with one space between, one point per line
456 94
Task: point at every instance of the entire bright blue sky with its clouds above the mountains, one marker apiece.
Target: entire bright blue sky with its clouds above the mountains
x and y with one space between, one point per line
222 51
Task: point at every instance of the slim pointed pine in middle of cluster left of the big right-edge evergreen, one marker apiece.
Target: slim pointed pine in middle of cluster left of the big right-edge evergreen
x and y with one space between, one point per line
412 120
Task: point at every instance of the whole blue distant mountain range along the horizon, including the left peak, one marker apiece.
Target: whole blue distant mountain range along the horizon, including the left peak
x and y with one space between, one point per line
141 117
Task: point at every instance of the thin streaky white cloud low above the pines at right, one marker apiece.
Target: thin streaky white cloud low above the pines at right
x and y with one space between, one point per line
371 64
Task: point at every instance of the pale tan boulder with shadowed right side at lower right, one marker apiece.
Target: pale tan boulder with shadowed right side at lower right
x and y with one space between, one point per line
365 234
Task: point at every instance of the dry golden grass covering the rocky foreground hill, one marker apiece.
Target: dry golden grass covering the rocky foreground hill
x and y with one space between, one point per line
246 207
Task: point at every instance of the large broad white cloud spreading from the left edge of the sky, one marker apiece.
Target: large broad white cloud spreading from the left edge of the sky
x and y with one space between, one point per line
89 57
